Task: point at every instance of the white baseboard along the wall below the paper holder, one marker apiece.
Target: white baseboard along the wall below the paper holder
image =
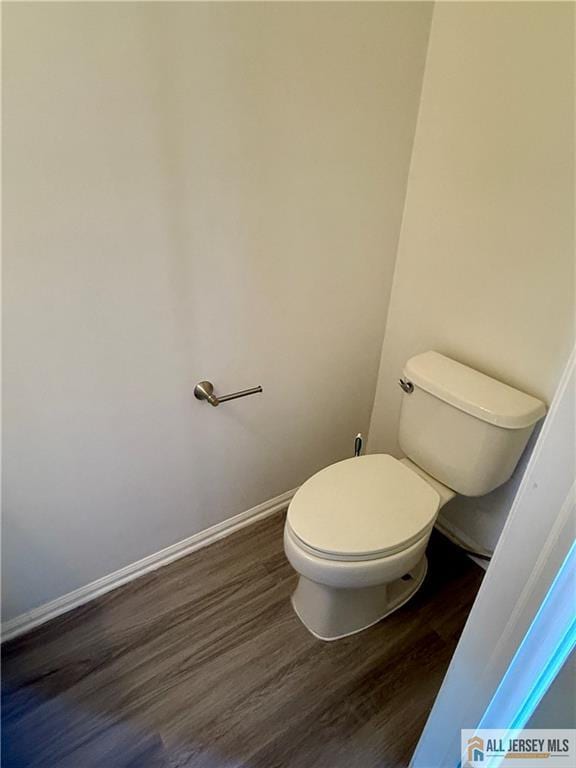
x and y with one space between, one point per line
43 613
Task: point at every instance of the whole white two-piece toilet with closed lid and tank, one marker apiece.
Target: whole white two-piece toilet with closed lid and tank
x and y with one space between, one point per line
356 532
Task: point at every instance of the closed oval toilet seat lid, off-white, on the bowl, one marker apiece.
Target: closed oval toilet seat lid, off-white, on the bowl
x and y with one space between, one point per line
362 508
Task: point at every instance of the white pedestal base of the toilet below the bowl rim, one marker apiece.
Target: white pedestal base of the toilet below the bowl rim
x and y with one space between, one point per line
331 614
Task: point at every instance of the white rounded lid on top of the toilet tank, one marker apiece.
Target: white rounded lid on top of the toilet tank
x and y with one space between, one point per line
473 392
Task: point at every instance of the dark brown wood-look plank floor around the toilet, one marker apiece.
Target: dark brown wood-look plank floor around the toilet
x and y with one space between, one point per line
203 664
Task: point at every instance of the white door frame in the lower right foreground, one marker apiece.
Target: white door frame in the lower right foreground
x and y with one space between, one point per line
532 549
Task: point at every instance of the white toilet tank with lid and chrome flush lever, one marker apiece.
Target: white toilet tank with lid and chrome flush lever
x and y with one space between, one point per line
462 427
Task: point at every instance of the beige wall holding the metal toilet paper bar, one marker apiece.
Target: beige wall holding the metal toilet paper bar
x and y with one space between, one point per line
190 191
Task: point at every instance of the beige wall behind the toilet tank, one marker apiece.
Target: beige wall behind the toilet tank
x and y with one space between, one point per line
486 255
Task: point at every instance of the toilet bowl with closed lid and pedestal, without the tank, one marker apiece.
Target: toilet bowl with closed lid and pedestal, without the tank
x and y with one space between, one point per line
356 533
